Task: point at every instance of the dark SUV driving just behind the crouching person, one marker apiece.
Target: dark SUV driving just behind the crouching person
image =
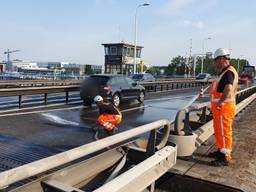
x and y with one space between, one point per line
112 87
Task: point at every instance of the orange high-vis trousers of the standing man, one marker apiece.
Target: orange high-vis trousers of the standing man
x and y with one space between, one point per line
222 123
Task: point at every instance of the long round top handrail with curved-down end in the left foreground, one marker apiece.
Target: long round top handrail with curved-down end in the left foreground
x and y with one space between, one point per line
40 166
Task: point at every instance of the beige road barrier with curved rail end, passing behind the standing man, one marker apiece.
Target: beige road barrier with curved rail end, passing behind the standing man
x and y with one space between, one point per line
189 130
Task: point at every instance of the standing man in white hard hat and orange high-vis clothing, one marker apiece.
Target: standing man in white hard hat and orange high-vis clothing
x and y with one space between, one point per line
223 102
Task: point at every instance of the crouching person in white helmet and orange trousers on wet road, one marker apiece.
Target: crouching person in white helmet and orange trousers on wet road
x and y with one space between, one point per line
109 115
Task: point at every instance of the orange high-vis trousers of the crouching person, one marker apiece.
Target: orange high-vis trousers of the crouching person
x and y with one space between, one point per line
109 121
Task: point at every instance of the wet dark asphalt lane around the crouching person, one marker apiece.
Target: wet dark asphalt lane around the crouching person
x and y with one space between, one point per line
67 128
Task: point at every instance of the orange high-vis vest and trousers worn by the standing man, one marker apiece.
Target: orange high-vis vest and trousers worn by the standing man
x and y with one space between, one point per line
223 117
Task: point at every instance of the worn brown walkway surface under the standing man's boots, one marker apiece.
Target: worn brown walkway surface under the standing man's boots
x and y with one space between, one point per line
241 173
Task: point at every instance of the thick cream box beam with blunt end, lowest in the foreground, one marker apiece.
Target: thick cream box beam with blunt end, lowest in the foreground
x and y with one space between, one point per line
143 175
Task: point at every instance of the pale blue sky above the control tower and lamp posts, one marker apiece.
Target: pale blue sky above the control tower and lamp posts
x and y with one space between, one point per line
73 30
